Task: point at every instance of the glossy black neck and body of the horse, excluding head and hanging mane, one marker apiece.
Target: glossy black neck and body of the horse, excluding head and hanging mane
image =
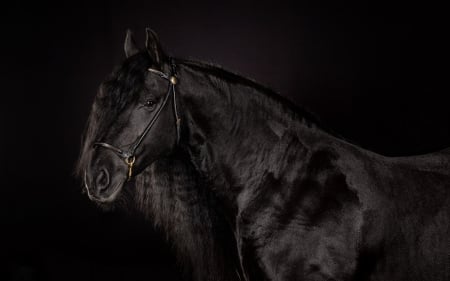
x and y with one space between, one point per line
308 205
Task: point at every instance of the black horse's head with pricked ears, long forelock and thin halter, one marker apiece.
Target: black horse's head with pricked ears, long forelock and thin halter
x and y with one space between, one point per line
133 120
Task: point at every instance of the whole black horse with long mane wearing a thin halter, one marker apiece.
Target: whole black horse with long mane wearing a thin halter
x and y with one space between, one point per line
249 187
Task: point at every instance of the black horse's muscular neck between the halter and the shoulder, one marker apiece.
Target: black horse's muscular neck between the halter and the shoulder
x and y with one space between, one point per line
234 130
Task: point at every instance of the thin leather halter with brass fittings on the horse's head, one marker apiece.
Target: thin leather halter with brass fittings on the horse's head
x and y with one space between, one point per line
129 156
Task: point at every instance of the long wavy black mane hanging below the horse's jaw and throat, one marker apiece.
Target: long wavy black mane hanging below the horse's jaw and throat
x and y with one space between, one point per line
171 194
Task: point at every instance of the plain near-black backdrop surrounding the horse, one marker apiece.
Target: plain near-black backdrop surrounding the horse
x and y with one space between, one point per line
372 71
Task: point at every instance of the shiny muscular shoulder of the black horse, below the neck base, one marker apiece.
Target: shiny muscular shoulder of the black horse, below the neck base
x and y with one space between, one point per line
306 227
